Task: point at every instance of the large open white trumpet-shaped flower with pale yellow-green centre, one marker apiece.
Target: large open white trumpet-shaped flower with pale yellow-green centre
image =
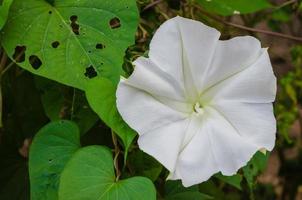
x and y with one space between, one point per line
200 105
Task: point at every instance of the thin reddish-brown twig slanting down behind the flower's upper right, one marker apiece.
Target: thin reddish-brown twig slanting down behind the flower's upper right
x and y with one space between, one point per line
281 35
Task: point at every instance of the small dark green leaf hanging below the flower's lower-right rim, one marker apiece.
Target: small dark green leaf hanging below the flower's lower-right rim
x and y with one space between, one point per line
255 166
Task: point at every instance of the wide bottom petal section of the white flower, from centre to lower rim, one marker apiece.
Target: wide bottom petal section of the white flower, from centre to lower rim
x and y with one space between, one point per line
217 146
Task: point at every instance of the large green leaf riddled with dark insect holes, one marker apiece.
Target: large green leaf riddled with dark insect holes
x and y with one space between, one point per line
71 41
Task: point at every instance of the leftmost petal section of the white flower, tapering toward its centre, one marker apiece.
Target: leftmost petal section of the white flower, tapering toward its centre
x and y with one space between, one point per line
142 111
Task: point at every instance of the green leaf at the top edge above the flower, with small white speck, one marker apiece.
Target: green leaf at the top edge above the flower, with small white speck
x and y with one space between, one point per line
230 7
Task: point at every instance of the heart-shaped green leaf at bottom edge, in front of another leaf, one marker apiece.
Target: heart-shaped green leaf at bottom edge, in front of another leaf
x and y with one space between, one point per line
90 175
